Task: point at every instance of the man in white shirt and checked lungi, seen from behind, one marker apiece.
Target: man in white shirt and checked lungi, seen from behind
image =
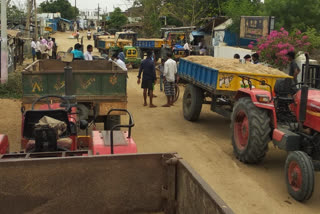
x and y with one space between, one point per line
170 70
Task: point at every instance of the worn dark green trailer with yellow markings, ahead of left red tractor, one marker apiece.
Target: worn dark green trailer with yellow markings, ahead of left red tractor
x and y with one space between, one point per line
98 86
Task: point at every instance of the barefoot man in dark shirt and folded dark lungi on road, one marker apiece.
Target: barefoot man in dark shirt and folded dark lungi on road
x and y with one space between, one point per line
148 79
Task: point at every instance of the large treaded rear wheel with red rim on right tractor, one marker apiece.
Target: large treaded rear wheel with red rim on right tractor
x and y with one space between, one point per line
250 131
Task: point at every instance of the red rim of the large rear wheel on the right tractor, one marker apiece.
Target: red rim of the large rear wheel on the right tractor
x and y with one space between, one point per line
241 130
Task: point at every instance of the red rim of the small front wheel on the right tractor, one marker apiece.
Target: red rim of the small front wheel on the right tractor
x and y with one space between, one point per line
295 176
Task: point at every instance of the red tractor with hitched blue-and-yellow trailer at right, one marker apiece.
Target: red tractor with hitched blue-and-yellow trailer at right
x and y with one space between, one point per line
262 108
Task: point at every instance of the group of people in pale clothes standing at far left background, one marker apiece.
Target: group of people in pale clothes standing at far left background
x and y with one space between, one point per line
43 48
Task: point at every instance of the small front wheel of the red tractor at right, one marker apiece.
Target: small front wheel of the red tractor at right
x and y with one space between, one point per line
299 175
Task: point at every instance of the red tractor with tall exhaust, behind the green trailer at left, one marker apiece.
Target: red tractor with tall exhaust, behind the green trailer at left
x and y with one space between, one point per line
53 129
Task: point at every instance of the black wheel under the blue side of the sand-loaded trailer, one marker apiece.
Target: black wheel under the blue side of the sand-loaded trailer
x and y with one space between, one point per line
192 102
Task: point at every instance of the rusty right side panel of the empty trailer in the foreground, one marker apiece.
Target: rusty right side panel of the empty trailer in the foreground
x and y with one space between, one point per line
194 195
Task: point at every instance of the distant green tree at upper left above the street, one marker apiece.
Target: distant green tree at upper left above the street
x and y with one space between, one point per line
63 6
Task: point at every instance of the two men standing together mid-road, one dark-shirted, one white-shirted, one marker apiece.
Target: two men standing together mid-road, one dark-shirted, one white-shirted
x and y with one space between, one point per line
168 69
